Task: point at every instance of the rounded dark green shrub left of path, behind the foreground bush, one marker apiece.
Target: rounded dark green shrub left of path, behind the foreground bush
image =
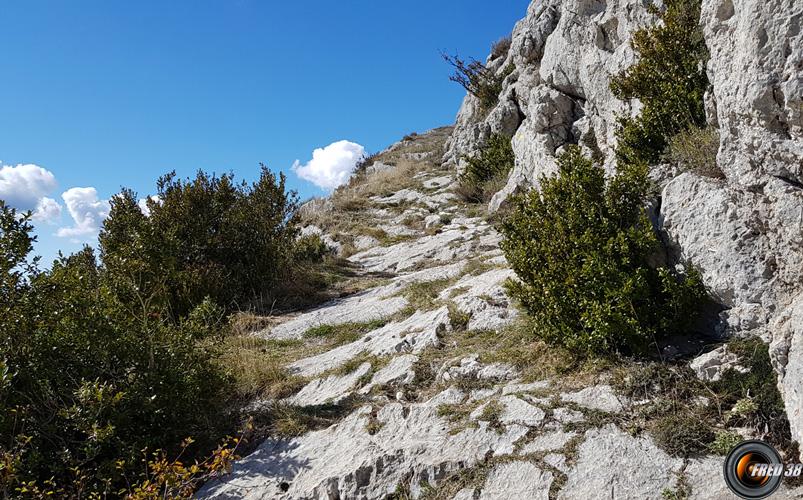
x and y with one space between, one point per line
206 237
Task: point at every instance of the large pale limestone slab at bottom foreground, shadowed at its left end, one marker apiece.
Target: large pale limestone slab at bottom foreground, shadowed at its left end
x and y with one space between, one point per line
345 461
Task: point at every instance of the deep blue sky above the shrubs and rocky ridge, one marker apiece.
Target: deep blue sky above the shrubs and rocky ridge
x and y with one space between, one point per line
100 94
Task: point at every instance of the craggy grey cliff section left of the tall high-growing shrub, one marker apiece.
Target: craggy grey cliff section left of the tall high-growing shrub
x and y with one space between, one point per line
563 53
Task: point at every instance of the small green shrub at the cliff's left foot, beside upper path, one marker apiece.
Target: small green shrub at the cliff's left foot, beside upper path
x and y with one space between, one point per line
487 169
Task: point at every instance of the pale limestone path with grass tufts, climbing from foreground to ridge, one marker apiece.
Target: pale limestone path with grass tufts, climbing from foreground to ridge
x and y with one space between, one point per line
422 404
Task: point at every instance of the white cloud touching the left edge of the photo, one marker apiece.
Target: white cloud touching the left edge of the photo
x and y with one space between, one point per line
24 187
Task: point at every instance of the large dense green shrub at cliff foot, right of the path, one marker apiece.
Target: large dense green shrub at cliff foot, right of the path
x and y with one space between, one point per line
581 248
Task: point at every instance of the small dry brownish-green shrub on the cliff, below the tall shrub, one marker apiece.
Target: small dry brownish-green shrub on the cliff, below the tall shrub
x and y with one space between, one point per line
695 150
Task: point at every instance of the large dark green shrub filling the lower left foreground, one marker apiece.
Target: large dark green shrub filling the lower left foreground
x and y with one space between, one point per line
89 381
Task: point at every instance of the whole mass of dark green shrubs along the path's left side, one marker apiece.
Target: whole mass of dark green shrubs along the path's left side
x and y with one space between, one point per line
100 360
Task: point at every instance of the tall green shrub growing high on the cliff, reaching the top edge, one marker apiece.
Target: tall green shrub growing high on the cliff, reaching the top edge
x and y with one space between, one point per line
669 79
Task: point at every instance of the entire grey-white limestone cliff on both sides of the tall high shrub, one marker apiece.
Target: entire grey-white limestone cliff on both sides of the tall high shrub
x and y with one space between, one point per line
745 231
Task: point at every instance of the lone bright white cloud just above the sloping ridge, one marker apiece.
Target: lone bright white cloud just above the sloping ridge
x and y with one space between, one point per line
331 166
